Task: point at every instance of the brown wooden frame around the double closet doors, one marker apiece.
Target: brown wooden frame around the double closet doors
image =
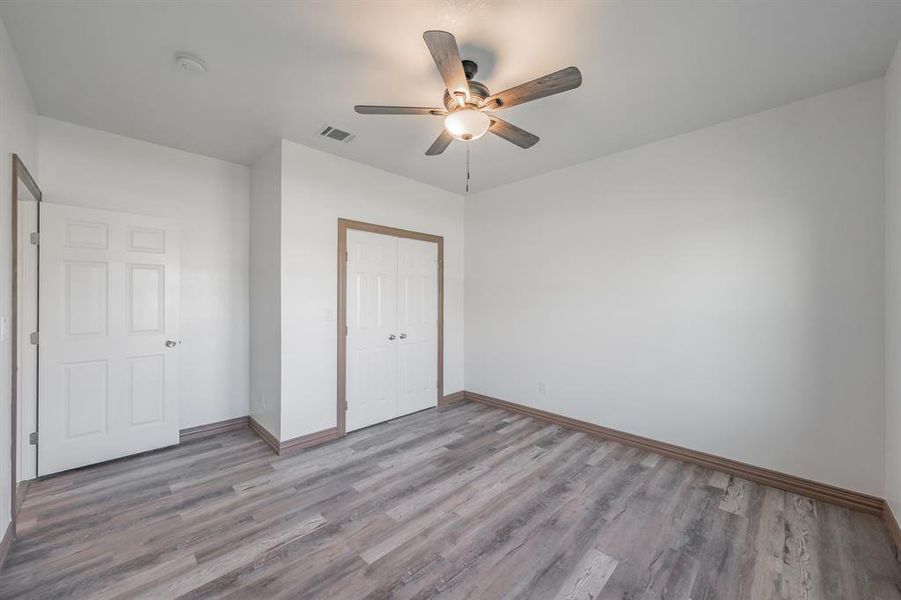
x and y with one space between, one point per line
343 226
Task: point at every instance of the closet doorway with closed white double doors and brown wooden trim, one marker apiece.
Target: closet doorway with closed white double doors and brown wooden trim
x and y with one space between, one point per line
390 325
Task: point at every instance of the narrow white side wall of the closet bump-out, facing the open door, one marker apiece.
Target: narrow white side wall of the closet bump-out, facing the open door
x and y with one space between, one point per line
265 290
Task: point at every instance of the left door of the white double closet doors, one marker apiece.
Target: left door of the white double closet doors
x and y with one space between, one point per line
371 349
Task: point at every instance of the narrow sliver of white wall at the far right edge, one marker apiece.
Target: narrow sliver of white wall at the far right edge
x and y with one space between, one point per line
893 284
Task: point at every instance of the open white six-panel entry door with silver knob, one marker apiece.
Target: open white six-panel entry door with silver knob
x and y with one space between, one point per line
108 336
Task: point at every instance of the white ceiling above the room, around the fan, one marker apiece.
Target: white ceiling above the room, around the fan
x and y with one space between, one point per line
281 69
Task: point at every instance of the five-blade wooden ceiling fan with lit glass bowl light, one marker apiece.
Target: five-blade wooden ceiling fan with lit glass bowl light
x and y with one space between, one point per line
468 102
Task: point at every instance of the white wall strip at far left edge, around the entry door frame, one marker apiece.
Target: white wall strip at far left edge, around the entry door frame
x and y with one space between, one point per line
18 134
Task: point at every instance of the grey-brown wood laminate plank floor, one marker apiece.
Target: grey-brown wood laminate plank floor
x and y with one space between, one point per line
460 502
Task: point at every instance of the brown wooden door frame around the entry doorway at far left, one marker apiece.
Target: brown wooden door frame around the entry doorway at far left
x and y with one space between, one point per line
19 173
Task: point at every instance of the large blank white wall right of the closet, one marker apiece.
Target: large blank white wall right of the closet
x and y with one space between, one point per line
721 290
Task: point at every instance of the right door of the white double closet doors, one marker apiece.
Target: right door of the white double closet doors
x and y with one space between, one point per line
417 323
